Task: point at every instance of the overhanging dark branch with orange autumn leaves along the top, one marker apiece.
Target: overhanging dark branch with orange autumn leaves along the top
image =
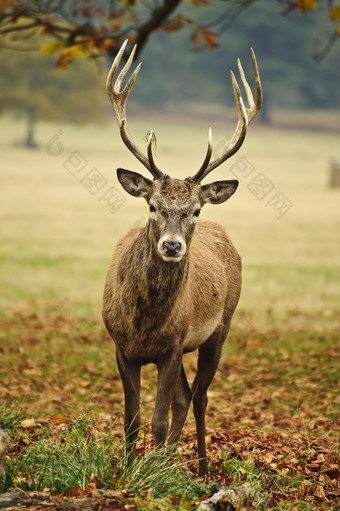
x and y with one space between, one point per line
97 27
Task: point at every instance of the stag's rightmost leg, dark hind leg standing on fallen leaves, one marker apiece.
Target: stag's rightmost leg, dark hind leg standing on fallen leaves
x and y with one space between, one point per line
208 360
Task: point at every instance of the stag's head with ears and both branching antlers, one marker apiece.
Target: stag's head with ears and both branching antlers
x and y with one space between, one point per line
175 204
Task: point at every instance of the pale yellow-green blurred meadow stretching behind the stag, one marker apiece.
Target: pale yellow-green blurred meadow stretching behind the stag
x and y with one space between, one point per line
54 228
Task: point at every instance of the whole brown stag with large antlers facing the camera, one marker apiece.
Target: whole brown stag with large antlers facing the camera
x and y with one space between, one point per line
173 285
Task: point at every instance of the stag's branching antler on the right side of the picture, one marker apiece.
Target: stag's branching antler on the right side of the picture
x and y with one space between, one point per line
245 116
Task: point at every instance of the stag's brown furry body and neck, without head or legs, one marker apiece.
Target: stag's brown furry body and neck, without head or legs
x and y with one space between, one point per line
147 299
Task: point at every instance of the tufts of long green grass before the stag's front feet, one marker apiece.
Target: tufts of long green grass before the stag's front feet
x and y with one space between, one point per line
73 457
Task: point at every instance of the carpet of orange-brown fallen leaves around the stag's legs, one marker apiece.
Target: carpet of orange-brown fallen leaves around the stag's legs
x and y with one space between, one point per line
272 417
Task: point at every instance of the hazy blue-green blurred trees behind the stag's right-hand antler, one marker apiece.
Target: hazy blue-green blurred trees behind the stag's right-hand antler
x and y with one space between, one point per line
291 77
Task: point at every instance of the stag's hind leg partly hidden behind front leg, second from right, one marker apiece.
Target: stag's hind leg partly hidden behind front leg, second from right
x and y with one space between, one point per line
180 406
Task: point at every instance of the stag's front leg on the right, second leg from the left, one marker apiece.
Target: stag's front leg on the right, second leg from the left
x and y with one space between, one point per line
168 374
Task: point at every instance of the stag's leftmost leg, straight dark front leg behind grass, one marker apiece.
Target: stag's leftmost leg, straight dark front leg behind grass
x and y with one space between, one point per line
130 375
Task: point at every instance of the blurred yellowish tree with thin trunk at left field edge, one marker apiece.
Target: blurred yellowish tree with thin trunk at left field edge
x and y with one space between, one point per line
32 87
